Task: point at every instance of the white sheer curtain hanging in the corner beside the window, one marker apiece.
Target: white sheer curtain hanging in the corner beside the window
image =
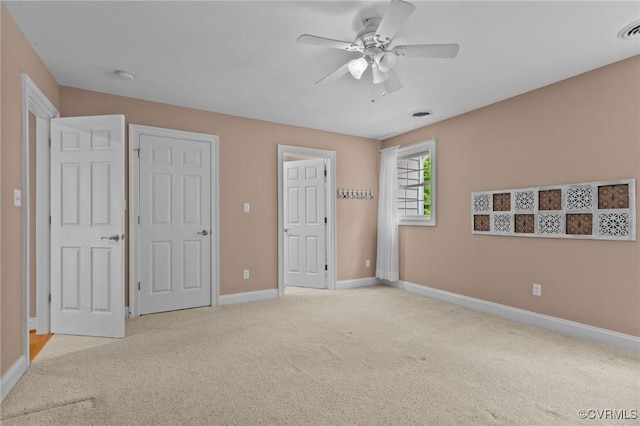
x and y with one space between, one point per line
387 258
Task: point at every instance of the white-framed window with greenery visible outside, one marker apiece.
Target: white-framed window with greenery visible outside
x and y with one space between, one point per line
417 184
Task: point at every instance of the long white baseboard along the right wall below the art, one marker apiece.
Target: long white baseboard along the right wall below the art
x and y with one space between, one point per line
570 328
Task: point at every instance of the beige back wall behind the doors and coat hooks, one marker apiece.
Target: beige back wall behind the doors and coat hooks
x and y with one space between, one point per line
248 173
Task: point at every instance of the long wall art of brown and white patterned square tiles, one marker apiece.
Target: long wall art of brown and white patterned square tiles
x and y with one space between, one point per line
593 210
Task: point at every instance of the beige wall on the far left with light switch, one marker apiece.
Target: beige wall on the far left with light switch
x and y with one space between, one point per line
16 57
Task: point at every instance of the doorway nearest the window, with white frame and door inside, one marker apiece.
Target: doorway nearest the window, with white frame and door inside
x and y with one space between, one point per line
306 218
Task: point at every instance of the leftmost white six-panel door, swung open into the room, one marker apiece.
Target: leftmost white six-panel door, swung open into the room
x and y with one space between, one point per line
87 225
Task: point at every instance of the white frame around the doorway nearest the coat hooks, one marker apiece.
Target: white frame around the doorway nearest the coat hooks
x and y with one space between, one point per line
330 158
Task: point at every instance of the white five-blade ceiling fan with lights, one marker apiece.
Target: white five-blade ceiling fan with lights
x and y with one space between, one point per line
374 41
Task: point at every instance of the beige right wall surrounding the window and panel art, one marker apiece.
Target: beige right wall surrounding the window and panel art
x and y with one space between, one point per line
578 130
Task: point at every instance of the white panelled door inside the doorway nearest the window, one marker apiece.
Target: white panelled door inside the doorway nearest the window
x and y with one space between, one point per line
305 262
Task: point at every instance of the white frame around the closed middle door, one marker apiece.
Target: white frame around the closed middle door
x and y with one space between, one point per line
135 131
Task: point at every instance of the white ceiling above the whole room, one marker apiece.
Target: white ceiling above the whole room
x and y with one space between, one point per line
242 58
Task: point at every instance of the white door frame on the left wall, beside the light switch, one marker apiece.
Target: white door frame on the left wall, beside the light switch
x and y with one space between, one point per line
36 102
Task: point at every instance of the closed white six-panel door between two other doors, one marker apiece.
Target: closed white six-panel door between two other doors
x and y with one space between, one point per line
174 230
